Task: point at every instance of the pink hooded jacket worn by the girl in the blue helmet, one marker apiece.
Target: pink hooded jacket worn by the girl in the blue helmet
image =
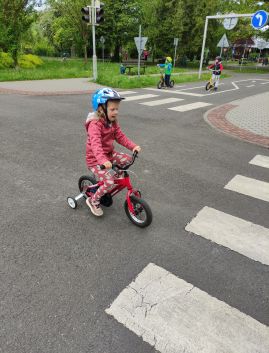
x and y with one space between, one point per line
100 140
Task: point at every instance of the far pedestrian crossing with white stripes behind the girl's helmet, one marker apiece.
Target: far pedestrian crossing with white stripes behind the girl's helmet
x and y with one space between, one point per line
132 96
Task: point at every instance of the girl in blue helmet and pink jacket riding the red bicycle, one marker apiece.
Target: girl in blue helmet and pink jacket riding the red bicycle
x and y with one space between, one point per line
102 130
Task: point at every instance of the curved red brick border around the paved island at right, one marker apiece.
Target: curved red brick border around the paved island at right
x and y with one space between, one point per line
216 117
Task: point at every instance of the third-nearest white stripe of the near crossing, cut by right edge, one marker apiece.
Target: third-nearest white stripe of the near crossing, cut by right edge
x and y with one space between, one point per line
248 186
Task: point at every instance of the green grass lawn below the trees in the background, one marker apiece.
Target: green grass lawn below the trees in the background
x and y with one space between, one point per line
108 73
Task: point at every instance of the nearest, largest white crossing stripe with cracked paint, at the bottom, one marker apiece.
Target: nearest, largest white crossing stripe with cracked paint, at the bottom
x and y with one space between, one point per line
173 316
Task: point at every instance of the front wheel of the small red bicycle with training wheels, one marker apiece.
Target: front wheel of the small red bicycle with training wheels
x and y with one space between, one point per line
142 215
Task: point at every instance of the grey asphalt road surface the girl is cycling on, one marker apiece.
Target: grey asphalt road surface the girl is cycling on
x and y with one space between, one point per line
61 269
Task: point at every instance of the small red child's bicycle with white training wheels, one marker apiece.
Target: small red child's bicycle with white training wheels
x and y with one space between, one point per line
137 209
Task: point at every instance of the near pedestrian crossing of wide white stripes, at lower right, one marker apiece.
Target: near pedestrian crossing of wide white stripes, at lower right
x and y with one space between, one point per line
173 315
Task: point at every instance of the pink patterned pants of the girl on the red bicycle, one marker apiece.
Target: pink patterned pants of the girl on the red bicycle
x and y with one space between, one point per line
118 158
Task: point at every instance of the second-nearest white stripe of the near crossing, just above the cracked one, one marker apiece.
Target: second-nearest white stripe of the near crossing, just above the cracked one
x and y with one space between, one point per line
244 237
